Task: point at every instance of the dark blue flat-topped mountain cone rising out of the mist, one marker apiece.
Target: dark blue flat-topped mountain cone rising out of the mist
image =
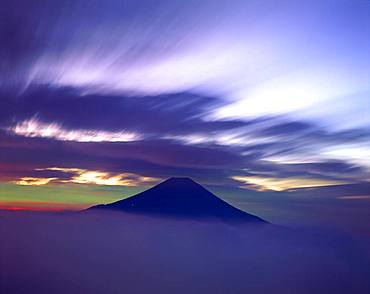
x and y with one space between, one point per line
180 198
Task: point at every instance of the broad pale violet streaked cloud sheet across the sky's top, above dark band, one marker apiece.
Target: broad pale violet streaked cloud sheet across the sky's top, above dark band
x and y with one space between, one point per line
263 59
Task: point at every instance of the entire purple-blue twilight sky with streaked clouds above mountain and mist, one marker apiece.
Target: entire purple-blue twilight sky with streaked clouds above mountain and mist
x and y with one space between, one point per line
265 103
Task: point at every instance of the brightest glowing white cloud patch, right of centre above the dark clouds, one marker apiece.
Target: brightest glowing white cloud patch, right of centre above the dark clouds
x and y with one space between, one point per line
306 93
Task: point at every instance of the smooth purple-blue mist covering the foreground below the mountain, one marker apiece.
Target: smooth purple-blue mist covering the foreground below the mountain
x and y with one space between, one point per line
106 252
